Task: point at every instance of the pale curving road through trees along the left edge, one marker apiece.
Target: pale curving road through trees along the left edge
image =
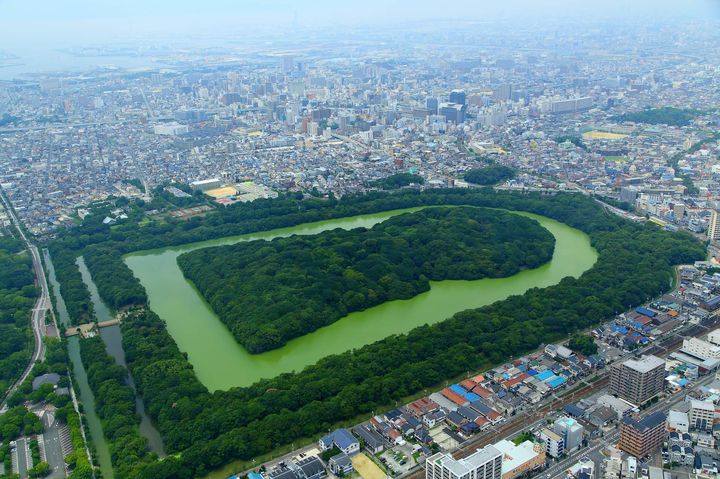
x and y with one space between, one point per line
41 305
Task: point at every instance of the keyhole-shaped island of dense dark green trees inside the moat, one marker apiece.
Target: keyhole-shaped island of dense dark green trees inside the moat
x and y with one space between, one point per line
270 292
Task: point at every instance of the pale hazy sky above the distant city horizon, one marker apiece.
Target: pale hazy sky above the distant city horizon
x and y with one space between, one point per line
47 22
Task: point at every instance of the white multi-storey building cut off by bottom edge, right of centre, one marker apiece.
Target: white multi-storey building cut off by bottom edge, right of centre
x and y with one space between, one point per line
485 463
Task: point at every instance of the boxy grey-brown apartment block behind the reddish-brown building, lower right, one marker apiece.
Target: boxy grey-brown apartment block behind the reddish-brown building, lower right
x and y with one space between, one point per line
638 380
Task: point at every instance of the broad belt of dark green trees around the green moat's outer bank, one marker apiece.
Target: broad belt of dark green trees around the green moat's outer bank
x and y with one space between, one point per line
209 429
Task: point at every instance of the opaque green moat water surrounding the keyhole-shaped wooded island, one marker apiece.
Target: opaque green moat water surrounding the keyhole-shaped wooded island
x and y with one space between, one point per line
221 363
